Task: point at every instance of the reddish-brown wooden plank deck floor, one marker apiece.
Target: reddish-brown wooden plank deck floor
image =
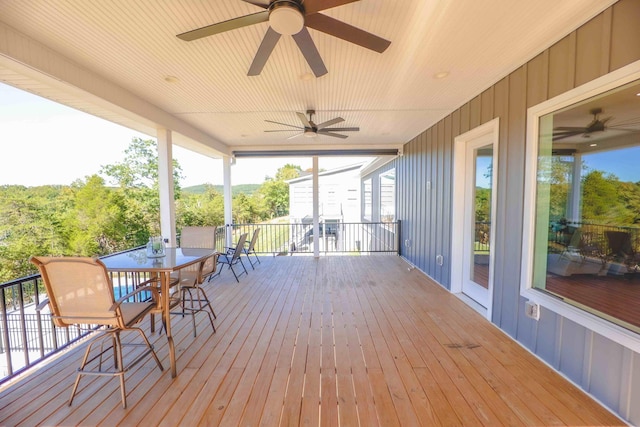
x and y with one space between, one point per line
336 341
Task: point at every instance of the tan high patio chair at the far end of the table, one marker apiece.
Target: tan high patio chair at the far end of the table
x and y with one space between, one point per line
194 298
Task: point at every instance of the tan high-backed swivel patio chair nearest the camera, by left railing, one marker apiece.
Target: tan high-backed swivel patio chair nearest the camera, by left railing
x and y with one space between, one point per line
80 292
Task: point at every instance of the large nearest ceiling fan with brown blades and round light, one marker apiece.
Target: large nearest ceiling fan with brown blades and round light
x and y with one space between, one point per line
292 17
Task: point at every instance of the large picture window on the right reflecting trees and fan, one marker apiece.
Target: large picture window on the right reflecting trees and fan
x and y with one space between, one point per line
582 239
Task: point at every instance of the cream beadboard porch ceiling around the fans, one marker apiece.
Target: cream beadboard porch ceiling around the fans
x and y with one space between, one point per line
121 60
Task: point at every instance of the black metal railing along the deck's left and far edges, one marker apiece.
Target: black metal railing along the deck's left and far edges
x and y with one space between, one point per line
28 336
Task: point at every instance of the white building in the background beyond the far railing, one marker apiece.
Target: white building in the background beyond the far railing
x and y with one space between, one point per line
338 196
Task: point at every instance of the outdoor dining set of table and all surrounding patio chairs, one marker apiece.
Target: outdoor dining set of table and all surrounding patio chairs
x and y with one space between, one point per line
81 294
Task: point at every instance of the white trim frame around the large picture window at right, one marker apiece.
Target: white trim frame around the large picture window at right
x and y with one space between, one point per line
597 324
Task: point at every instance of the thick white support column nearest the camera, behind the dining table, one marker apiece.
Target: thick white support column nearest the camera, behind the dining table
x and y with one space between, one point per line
165 183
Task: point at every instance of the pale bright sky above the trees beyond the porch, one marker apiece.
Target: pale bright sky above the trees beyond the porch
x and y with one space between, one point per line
46 143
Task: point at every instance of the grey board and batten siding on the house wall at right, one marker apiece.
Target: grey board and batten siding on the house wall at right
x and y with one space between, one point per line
611 40
